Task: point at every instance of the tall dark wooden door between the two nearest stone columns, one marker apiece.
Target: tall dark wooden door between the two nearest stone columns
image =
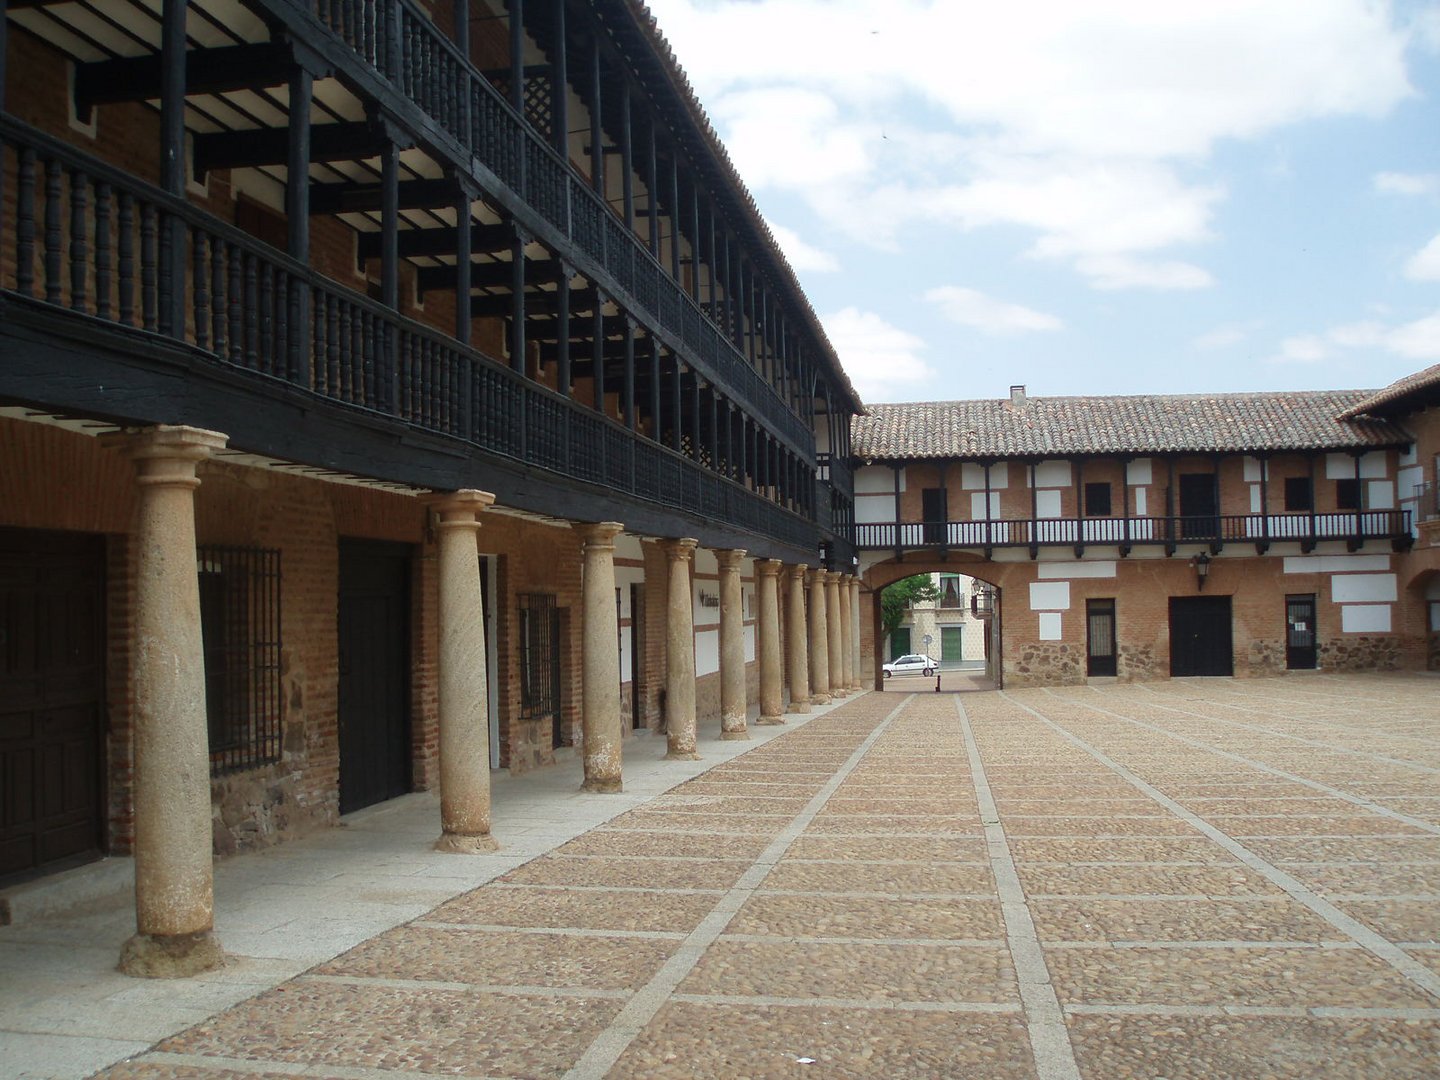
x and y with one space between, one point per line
375 686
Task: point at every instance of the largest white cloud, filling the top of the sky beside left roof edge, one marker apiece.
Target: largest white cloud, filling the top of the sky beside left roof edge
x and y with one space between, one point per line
1082 125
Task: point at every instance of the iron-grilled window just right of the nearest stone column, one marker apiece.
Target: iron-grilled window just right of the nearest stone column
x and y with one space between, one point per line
240 621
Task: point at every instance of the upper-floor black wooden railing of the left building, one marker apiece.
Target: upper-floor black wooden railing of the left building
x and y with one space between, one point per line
400 42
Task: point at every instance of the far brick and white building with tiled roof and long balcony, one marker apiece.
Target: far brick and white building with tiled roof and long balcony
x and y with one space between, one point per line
1153 536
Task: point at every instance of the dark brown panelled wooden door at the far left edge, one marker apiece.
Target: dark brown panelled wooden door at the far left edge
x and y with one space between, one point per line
53 695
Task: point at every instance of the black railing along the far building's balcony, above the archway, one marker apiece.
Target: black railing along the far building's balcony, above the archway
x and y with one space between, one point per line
1370 525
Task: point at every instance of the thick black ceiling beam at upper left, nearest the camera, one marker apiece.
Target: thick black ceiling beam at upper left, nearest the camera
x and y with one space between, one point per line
208 71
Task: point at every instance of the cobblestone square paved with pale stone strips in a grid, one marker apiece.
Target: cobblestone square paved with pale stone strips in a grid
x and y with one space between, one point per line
1192 879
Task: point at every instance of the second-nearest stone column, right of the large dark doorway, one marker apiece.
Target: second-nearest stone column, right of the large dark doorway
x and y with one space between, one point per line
464 696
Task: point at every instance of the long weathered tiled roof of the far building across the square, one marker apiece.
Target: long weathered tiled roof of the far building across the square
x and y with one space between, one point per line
1154 424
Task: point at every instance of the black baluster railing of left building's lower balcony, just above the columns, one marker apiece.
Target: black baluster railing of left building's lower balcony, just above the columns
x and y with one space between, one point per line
84 237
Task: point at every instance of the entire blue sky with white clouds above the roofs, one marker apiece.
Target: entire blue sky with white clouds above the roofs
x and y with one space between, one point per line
1114 197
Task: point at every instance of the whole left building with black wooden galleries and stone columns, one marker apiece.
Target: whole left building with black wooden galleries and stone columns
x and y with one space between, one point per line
290 292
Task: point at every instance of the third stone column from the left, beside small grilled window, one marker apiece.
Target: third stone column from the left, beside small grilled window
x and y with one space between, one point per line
601 663
